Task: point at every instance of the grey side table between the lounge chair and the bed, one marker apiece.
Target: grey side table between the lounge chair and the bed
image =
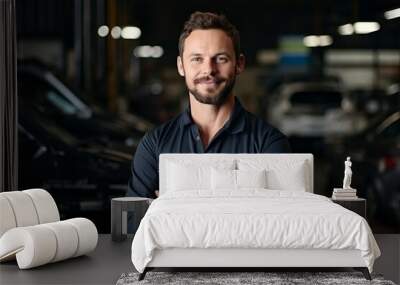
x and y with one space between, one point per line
119 215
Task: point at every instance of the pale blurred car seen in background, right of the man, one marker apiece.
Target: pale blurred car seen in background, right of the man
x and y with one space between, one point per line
314 109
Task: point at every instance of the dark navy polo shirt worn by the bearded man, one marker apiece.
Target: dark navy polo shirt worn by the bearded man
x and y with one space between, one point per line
242 133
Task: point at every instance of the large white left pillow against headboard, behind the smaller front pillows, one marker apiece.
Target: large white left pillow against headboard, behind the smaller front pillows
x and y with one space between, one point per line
185 175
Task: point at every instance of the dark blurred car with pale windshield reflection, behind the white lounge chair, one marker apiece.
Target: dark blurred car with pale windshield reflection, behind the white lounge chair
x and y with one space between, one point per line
77 152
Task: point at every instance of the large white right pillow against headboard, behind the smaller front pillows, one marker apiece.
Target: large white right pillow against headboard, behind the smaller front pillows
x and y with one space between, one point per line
281 174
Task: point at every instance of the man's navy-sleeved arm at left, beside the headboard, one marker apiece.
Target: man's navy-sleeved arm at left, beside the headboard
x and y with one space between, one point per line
144 169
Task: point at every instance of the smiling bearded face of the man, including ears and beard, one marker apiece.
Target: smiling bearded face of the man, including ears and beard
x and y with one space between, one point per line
209 65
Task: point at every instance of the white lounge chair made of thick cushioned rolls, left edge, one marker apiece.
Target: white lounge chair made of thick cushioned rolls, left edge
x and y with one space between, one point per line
31 231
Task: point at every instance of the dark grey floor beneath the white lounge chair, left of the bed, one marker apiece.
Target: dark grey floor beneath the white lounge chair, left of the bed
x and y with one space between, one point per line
103 266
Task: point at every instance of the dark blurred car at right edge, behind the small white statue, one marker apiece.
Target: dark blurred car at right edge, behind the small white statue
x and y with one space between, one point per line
375 153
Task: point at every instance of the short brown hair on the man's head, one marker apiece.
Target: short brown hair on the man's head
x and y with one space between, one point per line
206 21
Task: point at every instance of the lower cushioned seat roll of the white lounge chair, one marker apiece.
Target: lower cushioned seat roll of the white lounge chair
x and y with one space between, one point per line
40 244
